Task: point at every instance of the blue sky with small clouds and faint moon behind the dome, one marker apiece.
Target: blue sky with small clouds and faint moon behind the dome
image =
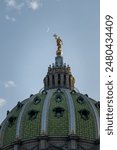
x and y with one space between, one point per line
27 46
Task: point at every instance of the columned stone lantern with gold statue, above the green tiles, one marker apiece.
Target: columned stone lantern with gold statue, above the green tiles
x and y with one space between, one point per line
59 74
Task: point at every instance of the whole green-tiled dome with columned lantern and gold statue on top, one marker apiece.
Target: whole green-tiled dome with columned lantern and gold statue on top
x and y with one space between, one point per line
58 117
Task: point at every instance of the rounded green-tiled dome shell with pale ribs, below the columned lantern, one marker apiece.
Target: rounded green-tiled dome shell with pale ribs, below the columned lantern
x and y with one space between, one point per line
27 117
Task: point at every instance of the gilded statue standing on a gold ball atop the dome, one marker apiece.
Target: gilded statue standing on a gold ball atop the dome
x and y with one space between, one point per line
59 42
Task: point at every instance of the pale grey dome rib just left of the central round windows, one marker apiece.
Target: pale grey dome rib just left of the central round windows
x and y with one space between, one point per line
45 112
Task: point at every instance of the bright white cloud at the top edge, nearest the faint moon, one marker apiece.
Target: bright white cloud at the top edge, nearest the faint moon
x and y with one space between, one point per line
34 4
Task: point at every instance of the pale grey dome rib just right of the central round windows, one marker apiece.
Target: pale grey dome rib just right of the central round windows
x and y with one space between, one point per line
71 109
